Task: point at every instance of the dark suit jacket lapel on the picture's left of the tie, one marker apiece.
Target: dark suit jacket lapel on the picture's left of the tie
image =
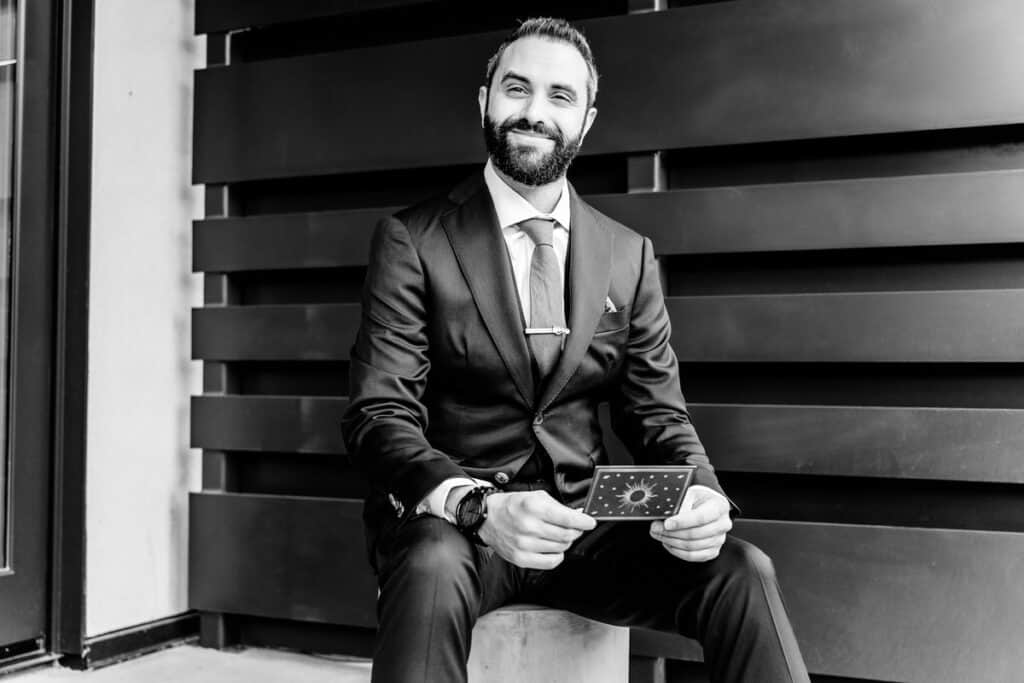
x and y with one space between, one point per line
480 248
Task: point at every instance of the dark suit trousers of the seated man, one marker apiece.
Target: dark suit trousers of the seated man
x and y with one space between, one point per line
435 585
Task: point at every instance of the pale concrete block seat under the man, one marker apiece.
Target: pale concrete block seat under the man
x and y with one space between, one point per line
533 645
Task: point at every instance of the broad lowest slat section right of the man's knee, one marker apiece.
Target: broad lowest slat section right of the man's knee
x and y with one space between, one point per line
901 605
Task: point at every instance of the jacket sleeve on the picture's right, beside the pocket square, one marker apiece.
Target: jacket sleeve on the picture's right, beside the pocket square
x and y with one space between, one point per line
649 412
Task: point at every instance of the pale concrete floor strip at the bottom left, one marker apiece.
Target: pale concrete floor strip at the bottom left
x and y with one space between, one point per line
190 664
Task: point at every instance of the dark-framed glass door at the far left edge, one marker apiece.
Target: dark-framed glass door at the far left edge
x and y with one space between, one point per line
28 127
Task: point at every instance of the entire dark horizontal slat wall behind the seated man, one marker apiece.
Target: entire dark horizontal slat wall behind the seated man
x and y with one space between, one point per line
836 193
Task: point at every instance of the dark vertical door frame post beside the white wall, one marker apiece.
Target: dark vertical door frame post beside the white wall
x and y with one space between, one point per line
73 227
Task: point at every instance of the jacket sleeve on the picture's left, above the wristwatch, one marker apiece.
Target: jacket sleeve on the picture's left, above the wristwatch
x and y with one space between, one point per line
386 422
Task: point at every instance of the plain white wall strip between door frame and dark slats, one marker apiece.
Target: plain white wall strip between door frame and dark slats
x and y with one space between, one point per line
140 464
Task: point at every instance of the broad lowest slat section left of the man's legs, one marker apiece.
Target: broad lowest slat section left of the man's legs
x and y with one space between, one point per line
286 558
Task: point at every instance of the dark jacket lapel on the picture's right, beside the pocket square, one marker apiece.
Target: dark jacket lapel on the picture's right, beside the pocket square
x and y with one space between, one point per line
589 276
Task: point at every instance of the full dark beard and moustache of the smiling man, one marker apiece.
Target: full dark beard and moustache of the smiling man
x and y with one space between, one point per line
525 164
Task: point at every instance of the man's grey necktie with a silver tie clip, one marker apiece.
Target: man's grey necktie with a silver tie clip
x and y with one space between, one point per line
547 308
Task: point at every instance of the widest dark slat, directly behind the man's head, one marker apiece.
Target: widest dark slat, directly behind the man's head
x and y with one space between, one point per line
713 74
